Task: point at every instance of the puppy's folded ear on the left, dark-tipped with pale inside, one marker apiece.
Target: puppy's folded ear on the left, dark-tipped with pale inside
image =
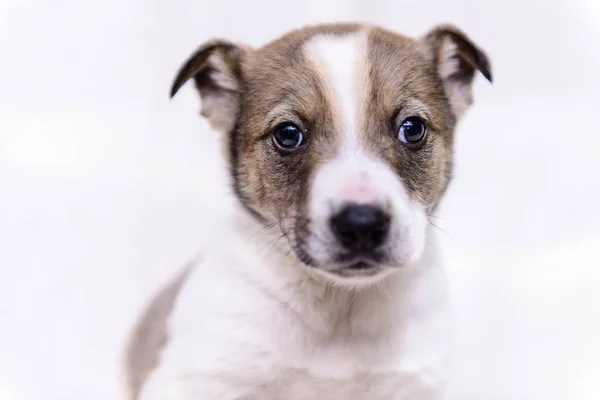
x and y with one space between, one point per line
216 69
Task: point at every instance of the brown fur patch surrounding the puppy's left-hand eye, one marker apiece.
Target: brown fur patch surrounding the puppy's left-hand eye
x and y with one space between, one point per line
279 77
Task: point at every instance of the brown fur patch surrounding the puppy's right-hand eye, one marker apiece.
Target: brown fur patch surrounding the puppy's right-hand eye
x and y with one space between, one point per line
403 84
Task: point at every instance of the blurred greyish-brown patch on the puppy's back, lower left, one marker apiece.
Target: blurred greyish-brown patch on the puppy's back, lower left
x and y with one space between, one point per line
150 334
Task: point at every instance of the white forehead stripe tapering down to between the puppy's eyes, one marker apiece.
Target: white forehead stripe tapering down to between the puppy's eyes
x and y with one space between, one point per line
341 63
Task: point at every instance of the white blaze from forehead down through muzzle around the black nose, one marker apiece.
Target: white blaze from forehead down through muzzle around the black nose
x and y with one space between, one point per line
354 175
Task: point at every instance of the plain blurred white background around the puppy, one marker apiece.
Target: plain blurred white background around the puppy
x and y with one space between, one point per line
105 183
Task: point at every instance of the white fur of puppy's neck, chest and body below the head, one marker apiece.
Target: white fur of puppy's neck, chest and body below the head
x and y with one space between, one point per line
253 324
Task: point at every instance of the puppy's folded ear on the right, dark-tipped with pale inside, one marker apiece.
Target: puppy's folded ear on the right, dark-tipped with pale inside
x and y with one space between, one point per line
456 59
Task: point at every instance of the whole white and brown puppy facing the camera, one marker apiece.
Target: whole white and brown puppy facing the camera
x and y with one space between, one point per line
339 140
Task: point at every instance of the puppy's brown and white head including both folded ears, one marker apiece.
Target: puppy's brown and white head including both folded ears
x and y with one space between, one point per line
341 135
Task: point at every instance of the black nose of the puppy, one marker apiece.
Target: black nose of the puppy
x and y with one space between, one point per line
361 227
